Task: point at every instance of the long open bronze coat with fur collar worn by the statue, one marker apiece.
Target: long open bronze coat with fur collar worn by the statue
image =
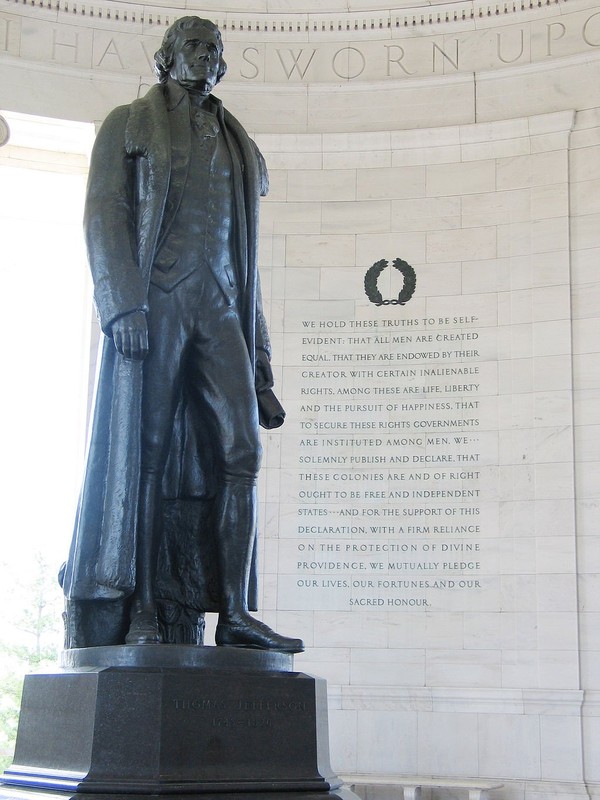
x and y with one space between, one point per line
140 150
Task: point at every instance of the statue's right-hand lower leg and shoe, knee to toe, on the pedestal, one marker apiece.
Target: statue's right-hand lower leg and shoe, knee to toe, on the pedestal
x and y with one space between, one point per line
236 529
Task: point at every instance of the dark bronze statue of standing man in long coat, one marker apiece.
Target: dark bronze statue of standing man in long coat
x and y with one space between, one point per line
171 227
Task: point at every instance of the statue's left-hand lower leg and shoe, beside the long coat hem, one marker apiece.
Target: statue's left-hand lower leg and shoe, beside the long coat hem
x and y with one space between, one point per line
144 628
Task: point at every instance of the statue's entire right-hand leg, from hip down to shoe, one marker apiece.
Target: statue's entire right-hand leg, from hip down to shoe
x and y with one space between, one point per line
226 400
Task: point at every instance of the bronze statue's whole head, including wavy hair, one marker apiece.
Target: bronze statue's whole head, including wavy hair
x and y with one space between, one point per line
191 53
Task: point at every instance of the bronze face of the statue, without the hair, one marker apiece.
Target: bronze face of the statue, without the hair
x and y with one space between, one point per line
196 57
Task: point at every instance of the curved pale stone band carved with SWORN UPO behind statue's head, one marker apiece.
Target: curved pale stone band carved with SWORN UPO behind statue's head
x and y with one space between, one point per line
360 59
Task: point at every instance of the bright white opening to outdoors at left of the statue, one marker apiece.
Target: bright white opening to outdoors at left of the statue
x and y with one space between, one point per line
46 327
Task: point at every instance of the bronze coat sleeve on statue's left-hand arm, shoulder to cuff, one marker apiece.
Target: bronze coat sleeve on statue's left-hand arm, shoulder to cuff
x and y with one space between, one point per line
109 224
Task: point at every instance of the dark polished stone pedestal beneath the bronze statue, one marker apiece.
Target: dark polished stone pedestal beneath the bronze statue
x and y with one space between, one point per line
171 720
